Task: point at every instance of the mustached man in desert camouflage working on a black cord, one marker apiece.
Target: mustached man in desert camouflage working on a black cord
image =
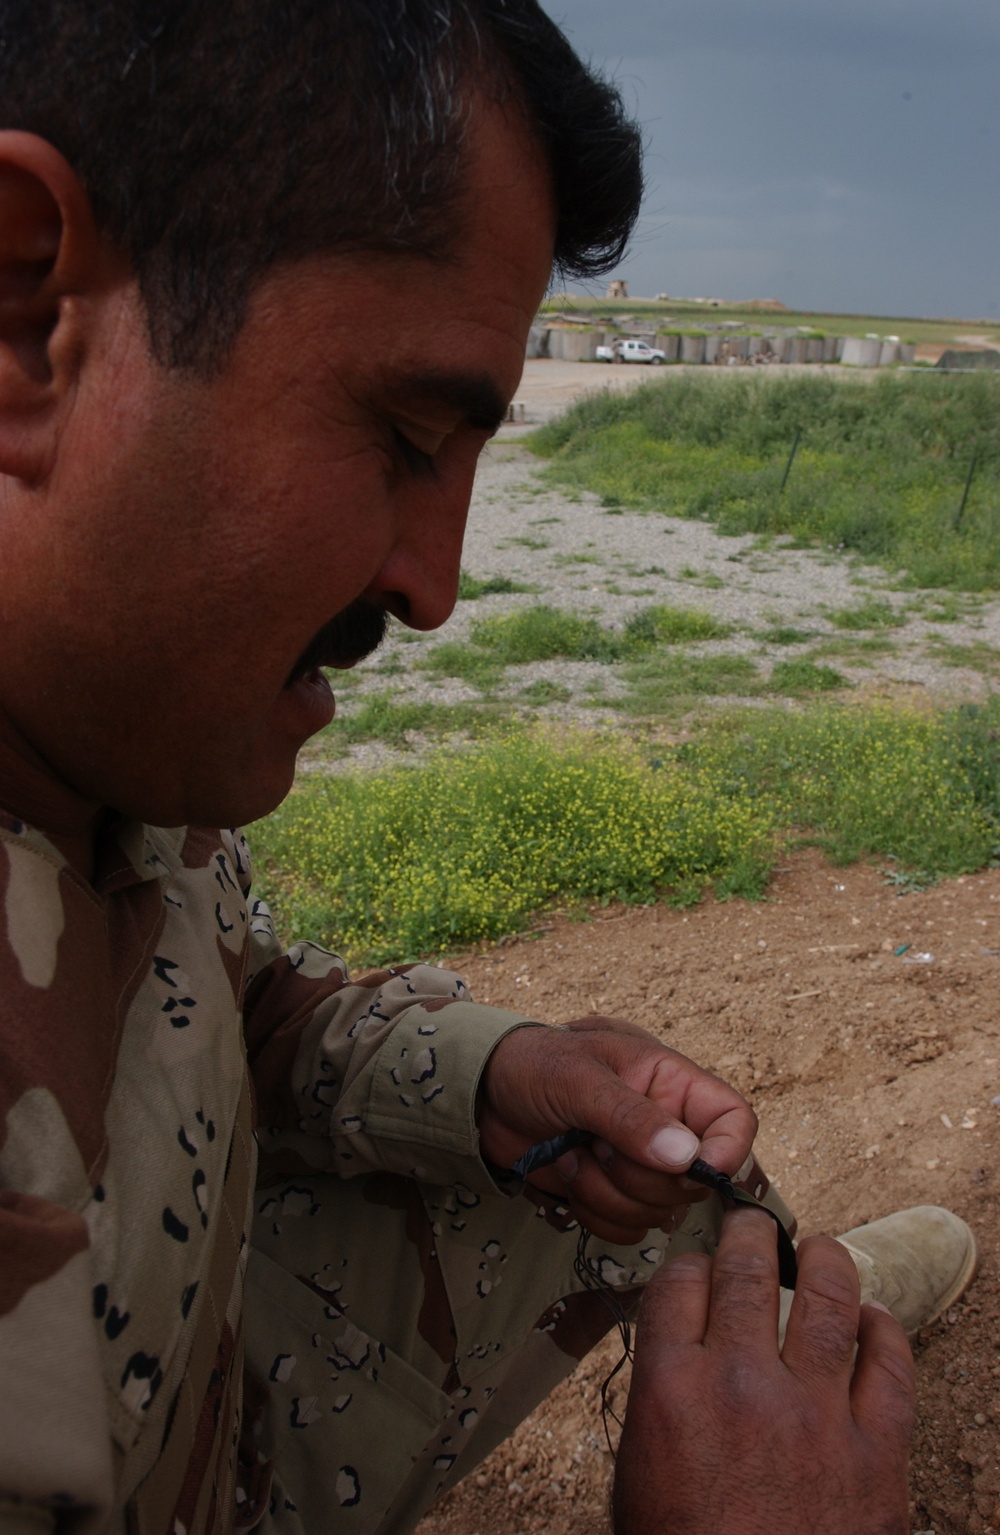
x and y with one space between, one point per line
267 276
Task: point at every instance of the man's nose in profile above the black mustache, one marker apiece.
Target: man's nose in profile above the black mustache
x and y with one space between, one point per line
419 581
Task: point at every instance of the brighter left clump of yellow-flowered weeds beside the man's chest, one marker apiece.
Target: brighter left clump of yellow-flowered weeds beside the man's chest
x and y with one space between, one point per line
469 845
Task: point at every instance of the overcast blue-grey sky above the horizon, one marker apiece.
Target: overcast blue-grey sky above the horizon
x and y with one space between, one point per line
835 156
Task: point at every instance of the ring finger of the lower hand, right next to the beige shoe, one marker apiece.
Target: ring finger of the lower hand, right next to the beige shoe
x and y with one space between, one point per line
823 1324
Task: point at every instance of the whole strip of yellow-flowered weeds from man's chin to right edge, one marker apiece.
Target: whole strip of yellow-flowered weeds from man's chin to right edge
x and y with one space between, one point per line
469 845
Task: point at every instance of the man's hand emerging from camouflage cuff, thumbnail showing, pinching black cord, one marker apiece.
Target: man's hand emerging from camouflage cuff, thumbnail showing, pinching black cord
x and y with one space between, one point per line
652 1111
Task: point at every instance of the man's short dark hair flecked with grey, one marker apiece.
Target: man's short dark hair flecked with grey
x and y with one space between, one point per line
219 137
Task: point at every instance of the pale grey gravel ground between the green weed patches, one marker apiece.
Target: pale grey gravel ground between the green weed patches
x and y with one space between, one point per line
583 558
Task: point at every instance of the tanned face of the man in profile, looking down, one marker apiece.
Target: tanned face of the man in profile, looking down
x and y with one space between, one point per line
200 536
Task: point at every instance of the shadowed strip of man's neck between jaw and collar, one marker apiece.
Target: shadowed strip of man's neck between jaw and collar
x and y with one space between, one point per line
31 791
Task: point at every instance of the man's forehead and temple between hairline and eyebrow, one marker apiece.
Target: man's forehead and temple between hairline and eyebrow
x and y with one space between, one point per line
454 322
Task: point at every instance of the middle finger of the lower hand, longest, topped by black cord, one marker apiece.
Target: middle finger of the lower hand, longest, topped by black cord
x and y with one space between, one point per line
744 1286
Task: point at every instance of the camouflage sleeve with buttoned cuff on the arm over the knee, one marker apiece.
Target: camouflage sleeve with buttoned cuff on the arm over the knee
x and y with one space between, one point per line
377 1074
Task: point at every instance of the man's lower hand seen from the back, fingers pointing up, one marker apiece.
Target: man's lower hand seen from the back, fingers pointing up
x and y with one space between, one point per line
724 1436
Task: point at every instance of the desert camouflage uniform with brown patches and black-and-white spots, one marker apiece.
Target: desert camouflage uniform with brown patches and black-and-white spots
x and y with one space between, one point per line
397 1310
